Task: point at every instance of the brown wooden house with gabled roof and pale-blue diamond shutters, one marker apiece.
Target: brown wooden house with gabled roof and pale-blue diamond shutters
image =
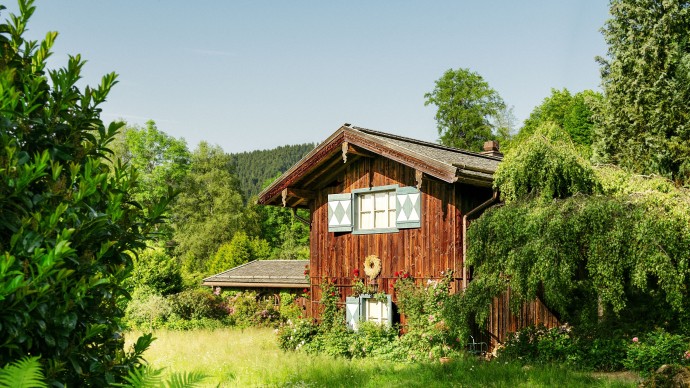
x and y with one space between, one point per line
404 202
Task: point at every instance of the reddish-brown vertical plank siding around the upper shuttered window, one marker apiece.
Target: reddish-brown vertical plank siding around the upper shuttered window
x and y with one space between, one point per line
423 252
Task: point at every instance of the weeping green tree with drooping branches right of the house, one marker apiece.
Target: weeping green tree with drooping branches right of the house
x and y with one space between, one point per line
585 239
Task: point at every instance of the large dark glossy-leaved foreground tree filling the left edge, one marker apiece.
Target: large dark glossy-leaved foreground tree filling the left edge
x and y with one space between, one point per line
68 218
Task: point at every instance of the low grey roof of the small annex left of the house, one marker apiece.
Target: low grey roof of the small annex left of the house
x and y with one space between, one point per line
262 273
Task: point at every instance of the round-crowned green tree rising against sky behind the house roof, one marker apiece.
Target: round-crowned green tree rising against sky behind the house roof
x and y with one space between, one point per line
467 107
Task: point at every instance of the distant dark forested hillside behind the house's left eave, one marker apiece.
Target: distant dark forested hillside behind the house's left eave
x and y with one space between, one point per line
253 168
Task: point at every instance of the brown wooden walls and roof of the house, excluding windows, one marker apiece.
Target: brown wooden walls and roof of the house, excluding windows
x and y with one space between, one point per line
452 183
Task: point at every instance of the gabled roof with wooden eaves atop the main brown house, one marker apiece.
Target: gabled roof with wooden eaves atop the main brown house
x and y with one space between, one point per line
323 164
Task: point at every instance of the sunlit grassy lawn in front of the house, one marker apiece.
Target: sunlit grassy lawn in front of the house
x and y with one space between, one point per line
247 358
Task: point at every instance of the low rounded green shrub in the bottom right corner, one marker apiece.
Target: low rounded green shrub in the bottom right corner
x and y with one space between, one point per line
656 348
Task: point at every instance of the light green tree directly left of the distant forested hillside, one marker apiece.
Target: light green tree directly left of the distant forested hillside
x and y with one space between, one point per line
209 210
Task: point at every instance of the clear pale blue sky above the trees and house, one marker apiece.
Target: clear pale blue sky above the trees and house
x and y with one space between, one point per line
252 75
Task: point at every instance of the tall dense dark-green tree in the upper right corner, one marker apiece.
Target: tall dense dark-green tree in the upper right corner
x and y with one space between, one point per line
646 79
